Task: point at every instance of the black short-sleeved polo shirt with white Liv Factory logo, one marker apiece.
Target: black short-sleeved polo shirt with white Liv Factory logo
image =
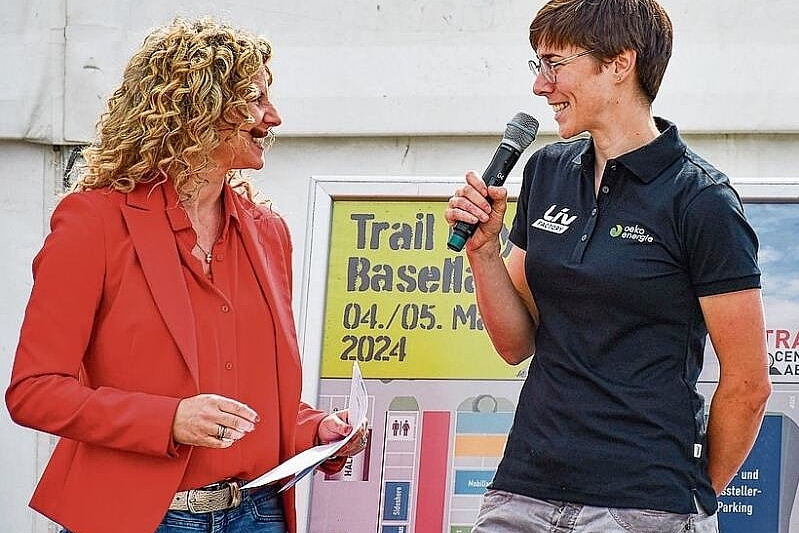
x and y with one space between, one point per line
609 414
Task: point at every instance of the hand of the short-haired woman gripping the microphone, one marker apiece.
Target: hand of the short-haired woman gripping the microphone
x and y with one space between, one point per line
469 204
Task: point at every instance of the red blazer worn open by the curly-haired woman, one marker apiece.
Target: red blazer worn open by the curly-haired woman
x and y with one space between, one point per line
107 349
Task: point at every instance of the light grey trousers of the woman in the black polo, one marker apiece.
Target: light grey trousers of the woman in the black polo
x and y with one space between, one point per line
503 512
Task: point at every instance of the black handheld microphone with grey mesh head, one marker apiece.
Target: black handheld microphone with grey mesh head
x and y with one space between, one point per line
519 134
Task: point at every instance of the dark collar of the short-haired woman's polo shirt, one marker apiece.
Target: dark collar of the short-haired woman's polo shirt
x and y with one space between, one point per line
649 161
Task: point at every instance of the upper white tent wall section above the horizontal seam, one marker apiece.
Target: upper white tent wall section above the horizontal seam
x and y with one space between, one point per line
406 67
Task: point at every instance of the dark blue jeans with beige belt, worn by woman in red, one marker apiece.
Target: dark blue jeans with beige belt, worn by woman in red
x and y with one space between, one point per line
261 511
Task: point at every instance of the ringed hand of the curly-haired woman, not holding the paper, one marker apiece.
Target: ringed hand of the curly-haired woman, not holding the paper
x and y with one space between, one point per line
212 421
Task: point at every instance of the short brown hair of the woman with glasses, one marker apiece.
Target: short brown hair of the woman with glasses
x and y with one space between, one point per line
609 27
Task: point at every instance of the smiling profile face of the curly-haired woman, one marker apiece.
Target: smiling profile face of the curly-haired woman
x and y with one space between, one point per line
244 148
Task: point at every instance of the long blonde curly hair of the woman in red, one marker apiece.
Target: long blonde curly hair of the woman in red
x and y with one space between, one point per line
161 121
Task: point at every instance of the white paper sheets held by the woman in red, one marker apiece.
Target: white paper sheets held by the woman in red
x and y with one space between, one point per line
304 462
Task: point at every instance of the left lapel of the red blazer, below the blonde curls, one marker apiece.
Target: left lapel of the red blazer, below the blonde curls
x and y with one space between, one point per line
154 241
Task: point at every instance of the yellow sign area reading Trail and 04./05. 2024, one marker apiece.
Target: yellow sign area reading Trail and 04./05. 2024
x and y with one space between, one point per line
398 300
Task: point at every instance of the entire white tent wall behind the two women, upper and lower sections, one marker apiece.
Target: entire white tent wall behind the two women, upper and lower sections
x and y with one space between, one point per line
406 87
